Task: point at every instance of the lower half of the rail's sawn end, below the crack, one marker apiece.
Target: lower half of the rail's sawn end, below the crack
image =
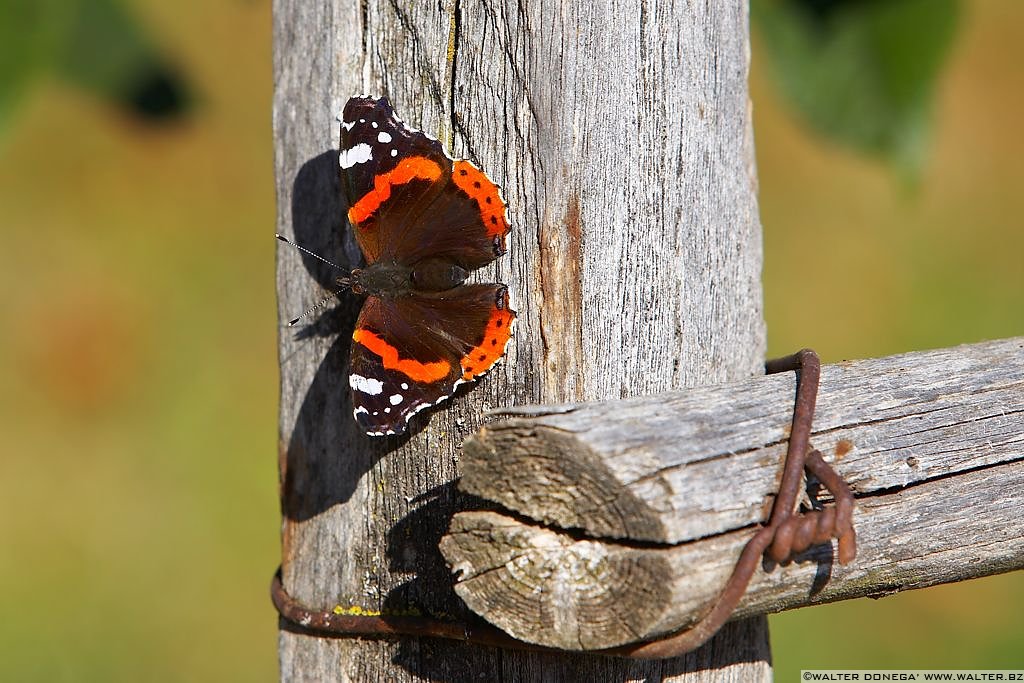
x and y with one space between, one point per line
547 588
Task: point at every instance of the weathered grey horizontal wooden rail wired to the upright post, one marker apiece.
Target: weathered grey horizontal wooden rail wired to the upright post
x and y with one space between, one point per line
932 444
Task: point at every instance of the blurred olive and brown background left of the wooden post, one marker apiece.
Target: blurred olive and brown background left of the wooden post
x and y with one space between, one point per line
140 522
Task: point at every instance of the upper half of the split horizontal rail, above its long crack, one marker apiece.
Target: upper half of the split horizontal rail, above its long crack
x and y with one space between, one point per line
651 468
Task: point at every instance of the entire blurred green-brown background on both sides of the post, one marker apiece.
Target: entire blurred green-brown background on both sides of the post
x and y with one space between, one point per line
139 524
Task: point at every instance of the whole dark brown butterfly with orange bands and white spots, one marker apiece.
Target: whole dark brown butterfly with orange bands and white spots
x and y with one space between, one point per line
424 222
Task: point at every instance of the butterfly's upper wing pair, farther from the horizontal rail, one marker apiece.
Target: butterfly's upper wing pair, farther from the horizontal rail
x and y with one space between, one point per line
410 201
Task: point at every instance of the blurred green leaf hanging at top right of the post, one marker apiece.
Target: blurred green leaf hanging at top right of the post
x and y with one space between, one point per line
862 72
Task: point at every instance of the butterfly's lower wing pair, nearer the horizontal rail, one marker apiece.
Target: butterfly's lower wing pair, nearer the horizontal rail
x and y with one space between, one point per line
412 353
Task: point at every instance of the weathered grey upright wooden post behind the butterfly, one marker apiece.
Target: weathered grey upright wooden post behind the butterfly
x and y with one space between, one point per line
621 135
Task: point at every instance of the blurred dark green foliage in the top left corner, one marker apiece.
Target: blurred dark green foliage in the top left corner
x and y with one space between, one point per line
98 46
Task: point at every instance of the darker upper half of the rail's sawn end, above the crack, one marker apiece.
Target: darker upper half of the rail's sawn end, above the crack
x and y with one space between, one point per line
556 479
